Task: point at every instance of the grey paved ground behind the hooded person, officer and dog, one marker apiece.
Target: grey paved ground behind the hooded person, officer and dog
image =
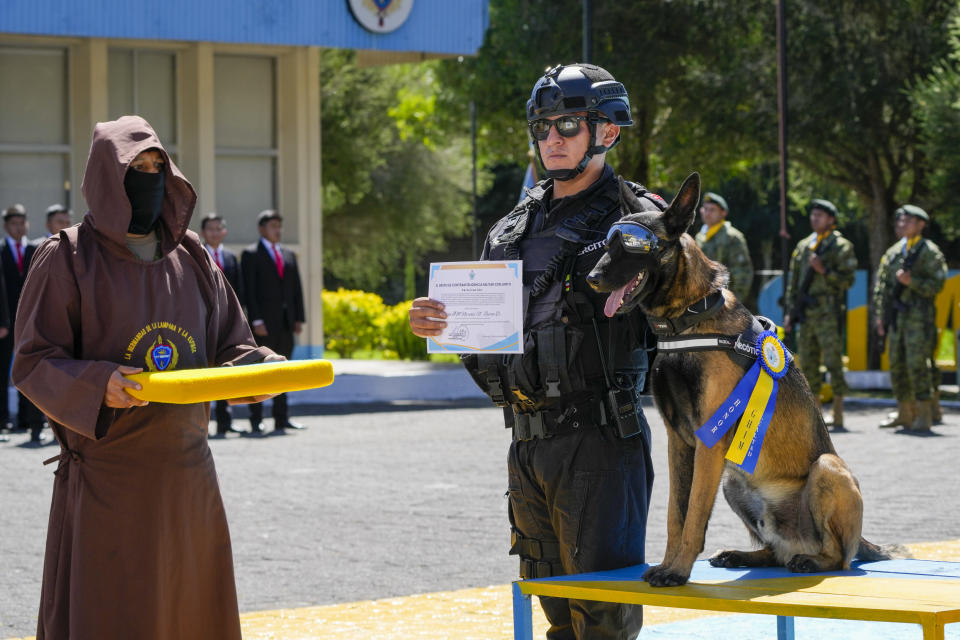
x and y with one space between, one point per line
388 497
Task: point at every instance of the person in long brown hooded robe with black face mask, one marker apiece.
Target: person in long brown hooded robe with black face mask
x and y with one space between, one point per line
137 541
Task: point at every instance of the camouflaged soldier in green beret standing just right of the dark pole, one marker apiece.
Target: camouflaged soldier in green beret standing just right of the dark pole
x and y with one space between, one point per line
822 269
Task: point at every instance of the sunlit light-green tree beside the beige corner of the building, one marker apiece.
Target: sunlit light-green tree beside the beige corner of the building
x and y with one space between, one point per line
395 185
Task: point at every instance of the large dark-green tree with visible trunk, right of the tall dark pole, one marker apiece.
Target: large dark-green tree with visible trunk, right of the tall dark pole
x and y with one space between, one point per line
851 121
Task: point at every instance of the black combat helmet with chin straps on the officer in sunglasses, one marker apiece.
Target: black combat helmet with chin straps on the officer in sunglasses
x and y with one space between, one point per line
576 88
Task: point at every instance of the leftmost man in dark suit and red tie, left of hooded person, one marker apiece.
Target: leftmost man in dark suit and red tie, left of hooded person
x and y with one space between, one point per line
15 256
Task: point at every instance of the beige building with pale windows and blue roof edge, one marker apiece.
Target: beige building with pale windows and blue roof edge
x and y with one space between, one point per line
231 87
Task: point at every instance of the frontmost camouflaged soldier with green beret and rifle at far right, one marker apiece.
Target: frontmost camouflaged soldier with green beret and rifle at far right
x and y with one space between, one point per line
905 316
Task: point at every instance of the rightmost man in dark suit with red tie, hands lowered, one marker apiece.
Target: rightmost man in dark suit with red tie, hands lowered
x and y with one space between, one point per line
274 300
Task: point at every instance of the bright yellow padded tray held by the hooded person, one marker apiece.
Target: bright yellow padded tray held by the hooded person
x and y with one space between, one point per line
187 386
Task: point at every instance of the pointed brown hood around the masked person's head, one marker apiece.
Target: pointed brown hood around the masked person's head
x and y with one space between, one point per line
115 145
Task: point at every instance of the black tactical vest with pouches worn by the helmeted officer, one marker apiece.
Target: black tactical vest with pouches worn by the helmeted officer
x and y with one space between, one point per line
572 353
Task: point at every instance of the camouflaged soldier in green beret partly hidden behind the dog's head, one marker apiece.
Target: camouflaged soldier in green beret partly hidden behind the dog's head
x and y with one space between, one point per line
725 244
